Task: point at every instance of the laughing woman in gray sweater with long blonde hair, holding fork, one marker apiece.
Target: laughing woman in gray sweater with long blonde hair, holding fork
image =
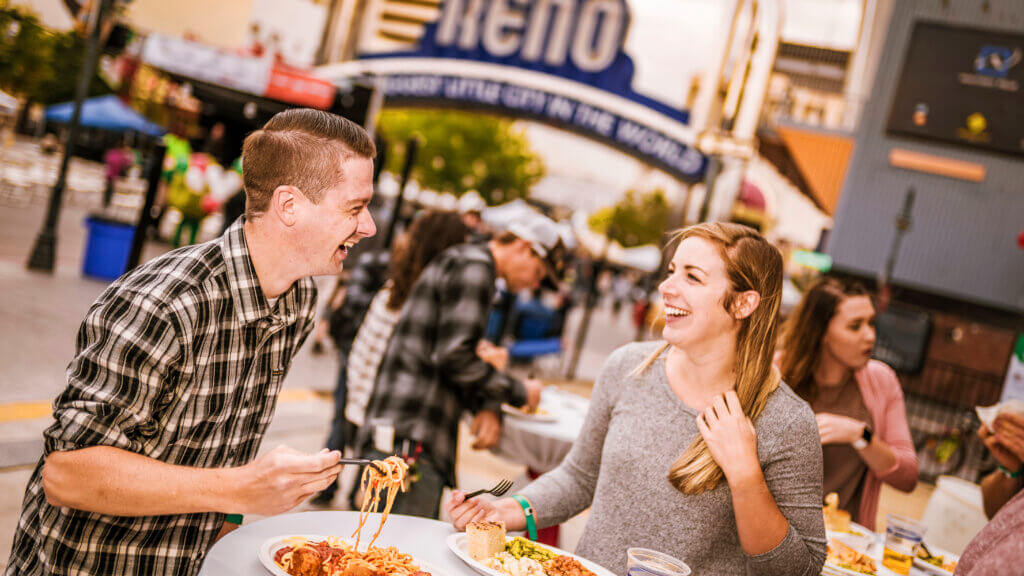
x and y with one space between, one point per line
693 447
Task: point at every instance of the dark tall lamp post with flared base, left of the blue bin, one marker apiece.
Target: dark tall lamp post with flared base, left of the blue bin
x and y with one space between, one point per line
45 251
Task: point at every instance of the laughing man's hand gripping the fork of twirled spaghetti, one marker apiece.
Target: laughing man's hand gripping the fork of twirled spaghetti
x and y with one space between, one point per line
282 479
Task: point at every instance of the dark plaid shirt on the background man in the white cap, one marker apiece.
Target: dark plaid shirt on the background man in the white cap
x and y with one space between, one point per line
431 373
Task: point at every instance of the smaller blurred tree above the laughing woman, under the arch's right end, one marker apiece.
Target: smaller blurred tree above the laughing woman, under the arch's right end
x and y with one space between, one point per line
637 219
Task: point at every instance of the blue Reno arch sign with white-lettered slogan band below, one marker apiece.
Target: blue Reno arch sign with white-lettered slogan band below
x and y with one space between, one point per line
565 63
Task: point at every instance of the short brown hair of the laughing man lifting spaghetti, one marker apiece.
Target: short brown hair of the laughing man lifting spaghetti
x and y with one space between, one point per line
300 148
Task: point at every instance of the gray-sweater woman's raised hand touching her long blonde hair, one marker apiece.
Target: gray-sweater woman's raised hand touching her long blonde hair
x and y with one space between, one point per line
731 438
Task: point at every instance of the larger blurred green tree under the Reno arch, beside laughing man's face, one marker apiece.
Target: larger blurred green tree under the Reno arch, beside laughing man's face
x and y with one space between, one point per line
462 151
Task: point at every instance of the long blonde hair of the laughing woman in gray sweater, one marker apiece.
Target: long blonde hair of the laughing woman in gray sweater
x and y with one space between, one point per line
751 264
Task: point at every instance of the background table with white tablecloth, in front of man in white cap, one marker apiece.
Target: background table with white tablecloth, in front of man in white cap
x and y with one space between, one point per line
543 445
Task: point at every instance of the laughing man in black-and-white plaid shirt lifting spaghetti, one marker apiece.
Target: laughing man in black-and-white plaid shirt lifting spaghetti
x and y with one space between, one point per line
179 366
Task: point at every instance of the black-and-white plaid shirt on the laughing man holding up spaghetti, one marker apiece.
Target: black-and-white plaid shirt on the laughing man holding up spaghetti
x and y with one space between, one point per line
181 361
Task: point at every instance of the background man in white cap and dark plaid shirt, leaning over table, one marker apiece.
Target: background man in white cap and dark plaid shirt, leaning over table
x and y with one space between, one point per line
432 372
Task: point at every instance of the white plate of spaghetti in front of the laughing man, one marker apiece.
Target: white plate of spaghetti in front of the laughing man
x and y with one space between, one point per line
331 556
